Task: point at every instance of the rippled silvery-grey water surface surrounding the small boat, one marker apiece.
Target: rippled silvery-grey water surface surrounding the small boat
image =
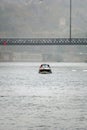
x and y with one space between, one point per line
33 101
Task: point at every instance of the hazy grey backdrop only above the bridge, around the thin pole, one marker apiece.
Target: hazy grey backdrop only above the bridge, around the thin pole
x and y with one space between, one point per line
42 18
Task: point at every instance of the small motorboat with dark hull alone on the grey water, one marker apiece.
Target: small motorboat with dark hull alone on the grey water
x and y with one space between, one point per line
45 69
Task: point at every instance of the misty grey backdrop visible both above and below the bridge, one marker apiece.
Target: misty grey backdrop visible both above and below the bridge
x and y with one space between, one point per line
43 19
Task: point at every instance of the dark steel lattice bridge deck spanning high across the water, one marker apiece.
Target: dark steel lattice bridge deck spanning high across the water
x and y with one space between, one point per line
43 41
